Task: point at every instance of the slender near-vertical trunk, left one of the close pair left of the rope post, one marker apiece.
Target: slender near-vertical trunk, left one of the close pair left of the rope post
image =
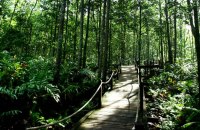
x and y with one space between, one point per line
81 36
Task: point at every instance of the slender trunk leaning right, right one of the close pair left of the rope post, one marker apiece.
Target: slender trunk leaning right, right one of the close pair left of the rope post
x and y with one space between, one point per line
86 37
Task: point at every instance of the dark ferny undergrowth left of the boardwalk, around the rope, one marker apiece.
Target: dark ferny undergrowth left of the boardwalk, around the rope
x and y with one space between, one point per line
29 97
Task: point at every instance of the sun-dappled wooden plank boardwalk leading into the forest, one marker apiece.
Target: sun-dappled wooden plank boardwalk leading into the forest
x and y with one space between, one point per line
119 106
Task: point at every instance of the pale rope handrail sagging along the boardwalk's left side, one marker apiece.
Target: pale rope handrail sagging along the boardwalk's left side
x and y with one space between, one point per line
80 109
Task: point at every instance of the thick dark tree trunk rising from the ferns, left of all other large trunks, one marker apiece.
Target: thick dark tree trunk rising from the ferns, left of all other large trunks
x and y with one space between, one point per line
60 42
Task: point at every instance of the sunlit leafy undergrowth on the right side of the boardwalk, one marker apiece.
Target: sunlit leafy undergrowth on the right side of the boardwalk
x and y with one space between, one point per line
173 98
